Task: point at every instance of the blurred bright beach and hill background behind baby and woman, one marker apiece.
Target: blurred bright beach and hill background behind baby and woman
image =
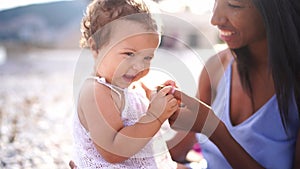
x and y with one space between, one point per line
38 55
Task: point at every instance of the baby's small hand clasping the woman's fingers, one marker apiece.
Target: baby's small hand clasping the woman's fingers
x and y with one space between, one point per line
163 105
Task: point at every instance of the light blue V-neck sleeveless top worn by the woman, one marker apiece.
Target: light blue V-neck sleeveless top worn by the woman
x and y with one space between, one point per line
262 135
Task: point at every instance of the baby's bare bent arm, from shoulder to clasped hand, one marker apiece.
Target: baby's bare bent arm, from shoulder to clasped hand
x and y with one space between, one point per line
115 142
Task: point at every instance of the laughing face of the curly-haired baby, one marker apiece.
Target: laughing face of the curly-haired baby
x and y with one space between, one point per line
129 59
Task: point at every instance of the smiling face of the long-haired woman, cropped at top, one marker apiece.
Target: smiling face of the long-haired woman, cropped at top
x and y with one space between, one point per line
239 22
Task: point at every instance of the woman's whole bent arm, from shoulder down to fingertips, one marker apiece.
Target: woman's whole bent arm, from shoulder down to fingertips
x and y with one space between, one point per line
197 116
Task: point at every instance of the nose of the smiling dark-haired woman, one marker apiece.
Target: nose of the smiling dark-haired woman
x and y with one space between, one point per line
218 17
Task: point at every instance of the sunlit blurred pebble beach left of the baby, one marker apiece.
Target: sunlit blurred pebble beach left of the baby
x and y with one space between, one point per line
36 109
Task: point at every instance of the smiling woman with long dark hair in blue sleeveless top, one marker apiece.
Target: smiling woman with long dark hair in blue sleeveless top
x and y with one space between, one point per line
253 88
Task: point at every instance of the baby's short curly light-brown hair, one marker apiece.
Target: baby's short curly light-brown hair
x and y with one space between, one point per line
101 12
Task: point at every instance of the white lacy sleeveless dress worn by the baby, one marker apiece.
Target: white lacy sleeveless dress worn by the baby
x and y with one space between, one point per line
154 155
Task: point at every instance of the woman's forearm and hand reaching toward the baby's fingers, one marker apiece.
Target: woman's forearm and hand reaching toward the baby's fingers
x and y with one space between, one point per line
199 118
